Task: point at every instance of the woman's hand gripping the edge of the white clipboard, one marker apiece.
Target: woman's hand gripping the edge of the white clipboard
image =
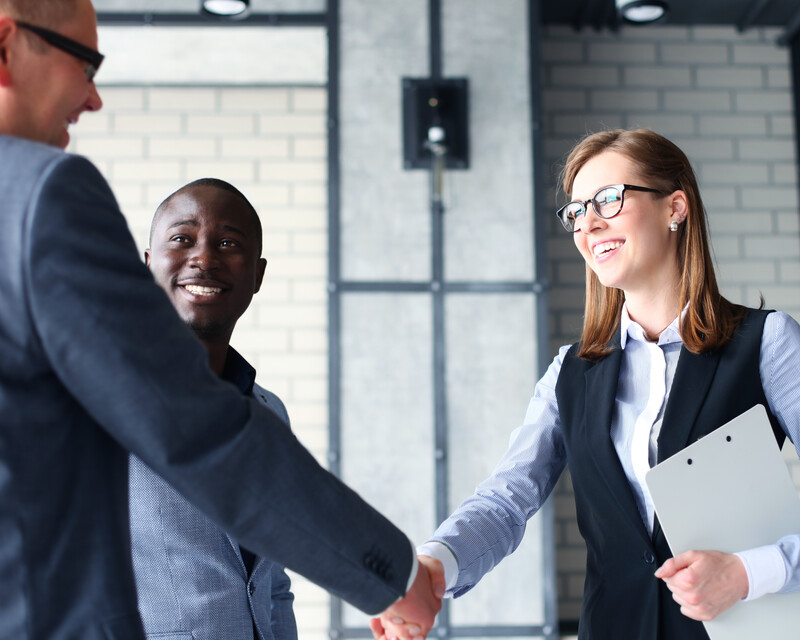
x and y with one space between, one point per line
705 583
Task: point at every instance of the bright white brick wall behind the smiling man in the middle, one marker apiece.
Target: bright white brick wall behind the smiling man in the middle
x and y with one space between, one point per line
270 143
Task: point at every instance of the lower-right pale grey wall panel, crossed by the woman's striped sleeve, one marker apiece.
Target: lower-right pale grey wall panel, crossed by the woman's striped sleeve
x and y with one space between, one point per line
490 378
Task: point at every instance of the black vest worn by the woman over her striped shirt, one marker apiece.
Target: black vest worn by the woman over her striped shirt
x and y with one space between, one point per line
622 599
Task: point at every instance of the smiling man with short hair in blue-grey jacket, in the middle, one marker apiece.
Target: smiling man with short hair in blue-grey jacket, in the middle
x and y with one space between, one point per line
192 577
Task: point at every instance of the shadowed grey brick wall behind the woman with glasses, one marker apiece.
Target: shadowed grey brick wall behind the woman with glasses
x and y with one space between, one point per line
724 98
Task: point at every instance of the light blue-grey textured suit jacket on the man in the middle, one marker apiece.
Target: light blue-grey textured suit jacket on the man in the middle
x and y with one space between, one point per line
191 577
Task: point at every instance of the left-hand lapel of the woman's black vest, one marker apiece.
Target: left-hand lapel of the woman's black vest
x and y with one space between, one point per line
601 390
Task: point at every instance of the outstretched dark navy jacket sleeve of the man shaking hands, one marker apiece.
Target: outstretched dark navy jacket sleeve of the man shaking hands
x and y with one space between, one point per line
114 341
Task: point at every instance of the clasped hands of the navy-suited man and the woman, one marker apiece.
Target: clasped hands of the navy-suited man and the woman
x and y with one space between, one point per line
413 616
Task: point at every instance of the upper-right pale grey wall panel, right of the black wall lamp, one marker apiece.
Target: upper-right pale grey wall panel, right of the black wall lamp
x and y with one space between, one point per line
489 219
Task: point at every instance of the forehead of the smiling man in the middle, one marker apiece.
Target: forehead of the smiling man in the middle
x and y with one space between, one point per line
208 207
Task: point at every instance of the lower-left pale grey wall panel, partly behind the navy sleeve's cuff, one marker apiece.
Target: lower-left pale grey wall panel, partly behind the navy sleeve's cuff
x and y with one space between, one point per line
387 410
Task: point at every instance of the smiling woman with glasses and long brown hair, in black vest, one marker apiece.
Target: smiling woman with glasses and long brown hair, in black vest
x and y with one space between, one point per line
663 359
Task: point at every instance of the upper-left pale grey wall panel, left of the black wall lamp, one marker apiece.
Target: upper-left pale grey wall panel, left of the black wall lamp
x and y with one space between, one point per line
385 211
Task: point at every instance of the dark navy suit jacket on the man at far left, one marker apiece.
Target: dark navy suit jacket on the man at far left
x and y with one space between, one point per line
94 364
